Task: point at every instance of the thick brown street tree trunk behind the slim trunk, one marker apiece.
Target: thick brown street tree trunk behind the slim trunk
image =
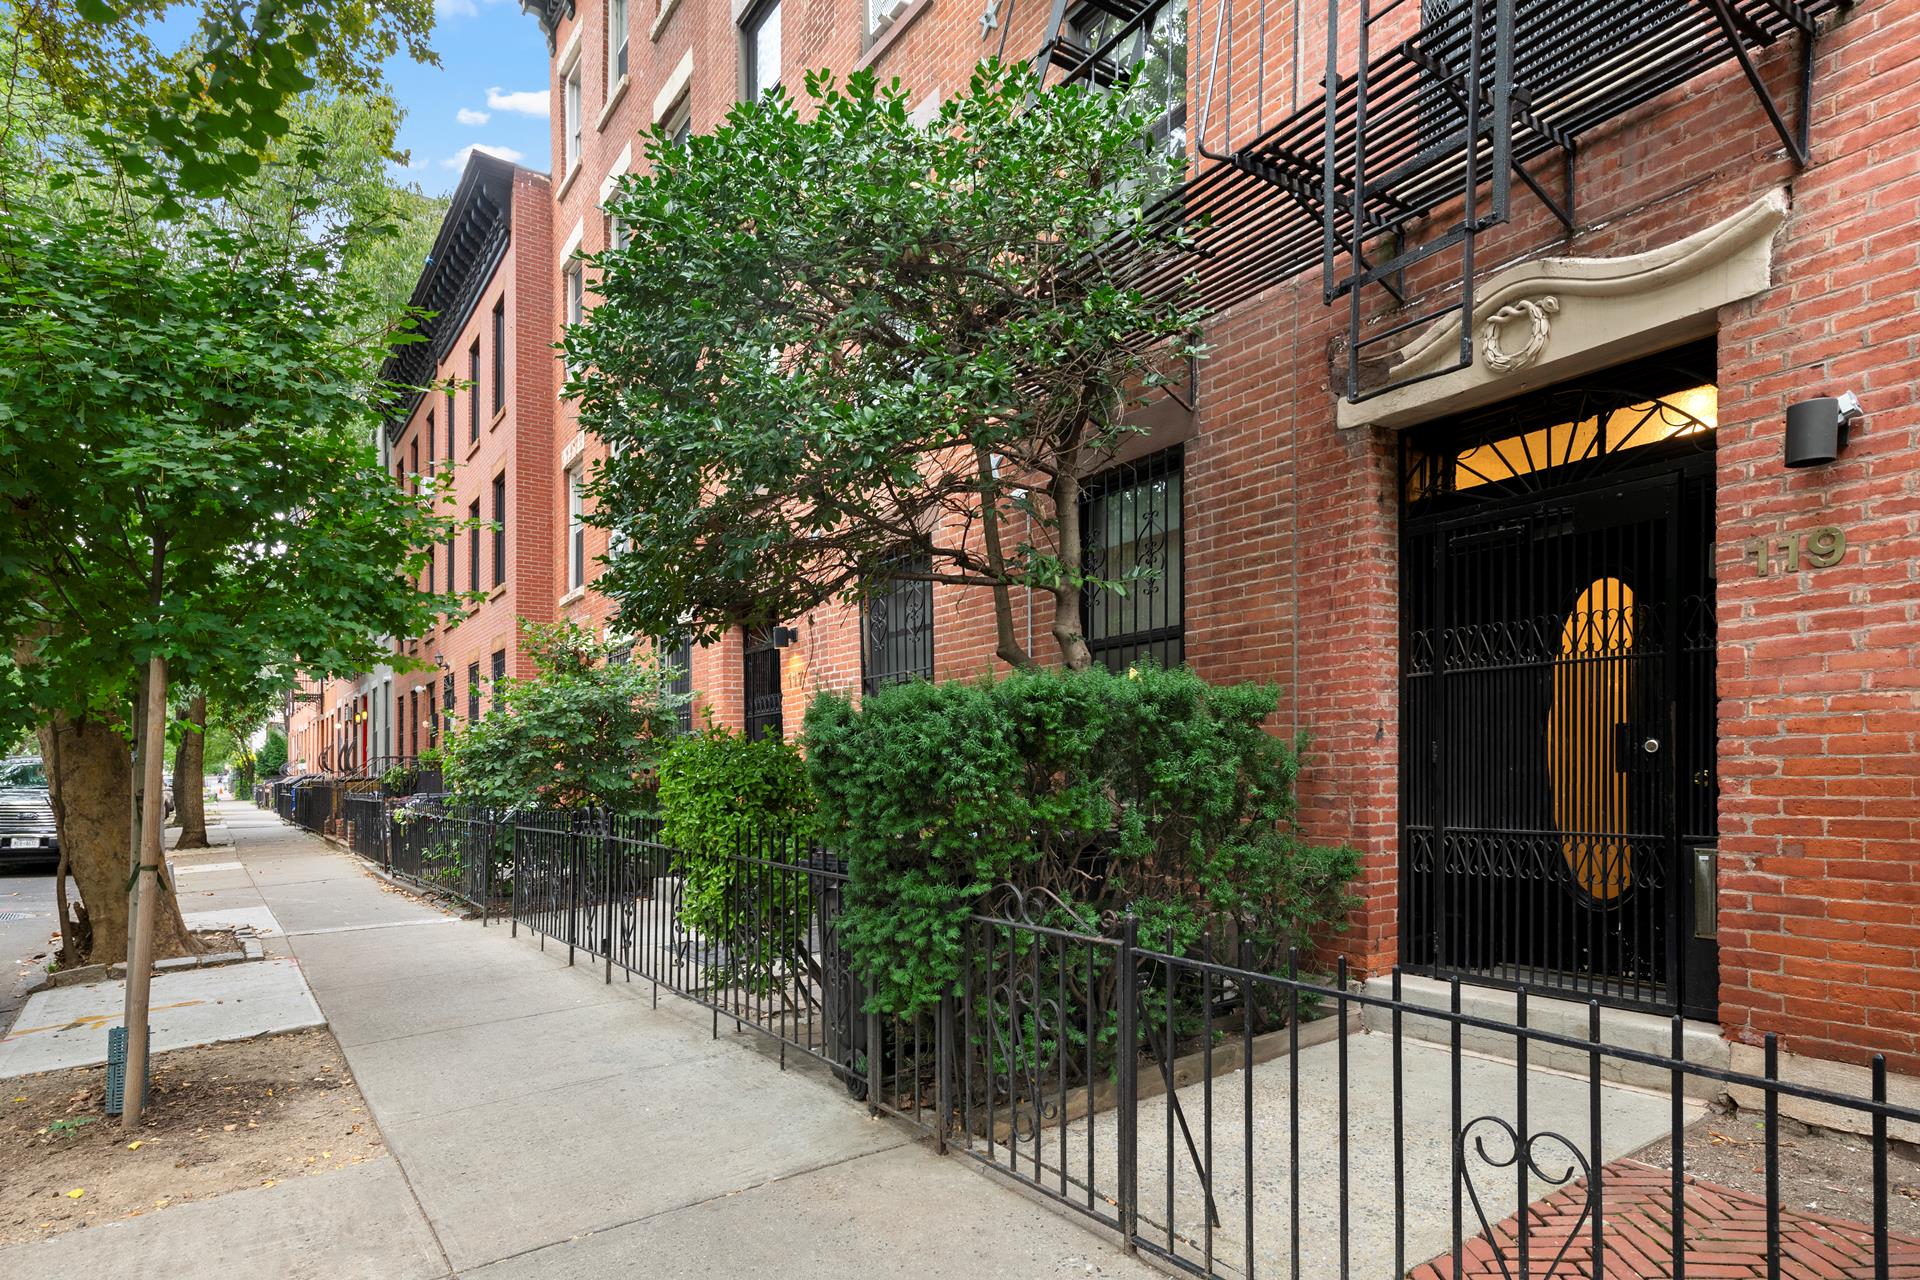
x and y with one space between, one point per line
91 778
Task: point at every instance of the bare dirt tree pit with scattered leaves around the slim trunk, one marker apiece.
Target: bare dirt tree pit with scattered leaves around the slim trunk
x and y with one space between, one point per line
224 1118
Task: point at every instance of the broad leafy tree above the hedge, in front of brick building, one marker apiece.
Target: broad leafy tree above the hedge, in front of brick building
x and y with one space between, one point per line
840 348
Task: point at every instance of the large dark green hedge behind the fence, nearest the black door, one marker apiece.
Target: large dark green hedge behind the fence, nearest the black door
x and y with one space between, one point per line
1088 792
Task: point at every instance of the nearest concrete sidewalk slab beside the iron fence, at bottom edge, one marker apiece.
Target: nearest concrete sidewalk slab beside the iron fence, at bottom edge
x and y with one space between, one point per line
901 1214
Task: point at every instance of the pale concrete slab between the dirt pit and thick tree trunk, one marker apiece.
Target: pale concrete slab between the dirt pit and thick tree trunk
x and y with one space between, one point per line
68 1026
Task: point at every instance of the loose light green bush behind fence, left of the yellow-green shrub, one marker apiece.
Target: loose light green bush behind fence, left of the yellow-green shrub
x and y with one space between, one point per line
581 734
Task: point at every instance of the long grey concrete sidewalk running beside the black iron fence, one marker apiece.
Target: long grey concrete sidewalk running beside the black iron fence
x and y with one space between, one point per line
546 1126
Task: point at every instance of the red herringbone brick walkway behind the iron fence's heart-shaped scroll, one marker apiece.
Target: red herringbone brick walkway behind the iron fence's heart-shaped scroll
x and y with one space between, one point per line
1725 1237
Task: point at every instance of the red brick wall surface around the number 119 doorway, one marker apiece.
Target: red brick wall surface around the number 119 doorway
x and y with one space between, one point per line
1291 523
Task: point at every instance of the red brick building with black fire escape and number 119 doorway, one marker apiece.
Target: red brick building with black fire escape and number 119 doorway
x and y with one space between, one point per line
1614 701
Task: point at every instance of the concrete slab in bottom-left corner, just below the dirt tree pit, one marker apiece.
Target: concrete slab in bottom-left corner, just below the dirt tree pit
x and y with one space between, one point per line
354 1223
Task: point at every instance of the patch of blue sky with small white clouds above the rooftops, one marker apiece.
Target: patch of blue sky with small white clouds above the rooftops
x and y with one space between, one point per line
491 91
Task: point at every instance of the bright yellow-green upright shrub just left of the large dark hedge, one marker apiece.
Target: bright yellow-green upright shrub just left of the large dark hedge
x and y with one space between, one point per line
723 799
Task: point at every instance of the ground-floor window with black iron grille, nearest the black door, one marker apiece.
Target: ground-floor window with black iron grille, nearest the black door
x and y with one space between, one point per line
1132 538
